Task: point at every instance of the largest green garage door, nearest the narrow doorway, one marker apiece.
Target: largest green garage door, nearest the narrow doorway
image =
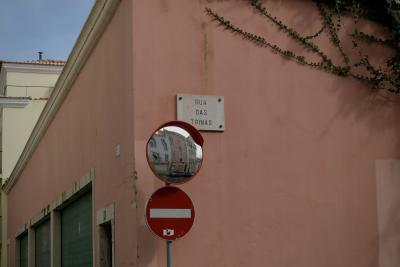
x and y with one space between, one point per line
76 233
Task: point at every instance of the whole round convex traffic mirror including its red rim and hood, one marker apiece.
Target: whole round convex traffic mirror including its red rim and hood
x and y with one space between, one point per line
174 152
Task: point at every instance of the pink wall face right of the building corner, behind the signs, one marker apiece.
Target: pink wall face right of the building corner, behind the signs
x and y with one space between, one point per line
291 182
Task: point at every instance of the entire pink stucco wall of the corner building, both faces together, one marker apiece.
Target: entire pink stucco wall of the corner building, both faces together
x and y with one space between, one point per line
291 181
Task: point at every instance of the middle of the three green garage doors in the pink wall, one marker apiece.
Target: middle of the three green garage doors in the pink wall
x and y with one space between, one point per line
42 244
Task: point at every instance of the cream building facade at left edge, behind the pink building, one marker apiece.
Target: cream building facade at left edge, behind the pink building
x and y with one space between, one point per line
24 90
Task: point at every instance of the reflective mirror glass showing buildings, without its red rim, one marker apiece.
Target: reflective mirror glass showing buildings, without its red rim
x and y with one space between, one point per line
173 154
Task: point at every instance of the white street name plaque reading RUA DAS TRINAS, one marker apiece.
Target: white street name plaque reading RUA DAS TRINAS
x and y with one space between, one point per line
202 111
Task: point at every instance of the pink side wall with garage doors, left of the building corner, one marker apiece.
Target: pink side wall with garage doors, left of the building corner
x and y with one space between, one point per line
94 118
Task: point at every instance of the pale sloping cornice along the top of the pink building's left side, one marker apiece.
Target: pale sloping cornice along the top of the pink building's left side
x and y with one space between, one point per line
99 17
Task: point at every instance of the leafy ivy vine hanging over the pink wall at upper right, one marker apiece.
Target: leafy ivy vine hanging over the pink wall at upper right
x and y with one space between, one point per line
385 13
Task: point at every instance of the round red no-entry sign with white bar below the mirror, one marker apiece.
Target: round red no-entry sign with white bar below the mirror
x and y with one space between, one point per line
169 213
